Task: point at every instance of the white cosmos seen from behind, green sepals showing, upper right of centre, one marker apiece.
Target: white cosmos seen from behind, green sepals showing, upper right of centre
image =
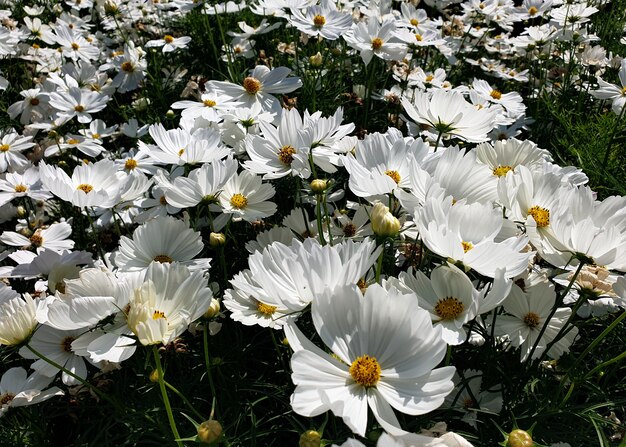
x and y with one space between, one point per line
451 115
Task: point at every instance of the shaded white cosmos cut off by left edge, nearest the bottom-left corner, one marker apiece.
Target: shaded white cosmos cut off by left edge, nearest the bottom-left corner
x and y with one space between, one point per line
18 390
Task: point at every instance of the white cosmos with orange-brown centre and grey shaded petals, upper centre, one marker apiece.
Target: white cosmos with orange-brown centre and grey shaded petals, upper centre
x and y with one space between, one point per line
258 87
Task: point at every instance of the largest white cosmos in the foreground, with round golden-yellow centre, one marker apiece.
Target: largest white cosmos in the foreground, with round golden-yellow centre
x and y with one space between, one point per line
384 357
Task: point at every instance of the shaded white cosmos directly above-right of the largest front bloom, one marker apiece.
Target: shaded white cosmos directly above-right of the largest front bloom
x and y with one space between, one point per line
451 299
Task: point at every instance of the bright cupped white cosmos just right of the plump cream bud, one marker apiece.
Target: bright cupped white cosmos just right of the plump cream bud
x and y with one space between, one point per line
470 234
